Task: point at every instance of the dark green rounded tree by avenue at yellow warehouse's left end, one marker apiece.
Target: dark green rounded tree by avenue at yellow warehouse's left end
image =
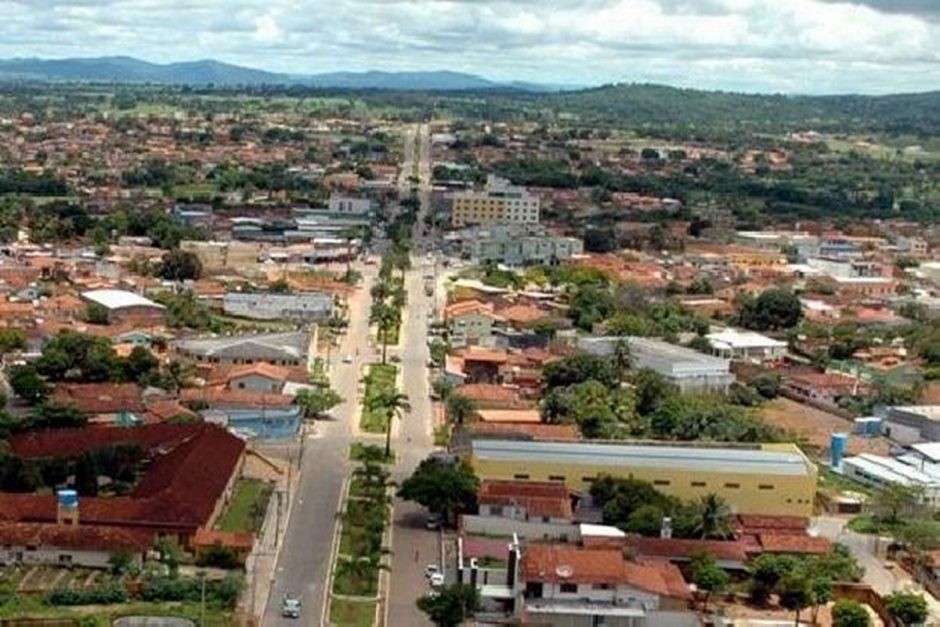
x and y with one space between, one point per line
444 486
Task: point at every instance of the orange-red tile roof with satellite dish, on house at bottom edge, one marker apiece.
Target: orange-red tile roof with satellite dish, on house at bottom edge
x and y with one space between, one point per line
557 563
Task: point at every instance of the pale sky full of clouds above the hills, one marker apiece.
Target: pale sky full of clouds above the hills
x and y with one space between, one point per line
795 46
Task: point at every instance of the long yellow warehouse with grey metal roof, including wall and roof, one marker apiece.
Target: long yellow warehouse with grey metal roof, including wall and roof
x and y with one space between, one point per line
768 479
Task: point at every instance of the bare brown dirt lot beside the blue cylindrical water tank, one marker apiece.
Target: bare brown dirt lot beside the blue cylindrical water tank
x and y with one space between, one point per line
816 426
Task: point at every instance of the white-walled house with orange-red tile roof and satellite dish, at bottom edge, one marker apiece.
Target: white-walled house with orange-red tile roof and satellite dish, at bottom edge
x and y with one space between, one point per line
563 585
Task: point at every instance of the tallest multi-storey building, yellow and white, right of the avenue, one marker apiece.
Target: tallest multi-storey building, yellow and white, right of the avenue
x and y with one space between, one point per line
498 203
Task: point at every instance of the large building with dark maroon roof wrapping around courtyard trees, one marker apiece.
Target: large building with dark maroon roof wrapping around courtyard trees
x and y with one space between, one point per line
189 471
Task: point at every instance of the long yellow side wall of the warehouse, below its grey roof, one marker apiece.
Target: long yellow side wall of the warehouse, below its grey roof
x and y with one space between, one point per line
790 496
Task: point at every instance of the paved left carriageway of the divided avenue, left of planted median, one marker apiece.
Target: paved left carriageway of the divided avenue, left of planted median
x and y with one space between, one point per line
303 563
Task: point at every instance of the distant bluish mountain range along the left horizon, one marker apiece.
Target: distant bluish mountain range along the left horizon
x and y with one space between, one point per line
205 72
